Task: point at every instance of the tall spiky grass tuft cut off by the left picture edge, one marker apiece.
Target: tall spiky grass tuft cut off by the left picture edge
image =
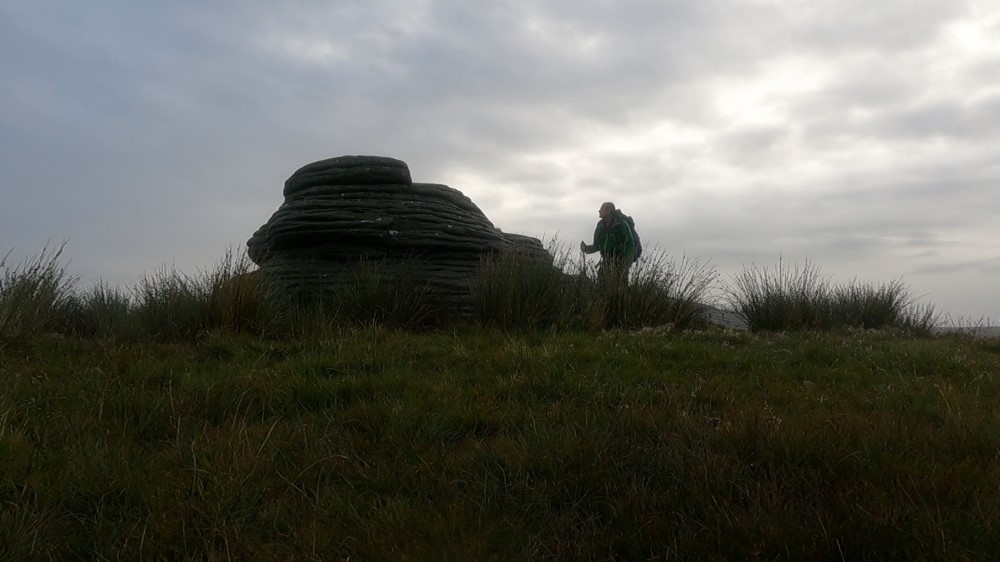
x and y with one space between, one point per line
35 295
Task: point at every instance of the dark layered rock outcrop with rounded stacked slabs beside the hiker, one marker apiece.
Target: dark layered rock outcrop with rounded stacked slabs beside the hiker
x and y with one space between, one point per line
347 211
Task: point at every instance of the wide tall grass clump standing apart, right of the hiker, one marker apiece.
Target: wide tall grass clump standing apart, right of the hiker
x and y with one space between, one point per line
798 298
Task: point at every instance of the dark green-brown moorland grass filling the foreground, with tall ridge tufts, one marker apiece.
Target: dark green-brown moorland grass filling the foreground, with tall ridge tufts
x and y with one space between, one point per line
203 418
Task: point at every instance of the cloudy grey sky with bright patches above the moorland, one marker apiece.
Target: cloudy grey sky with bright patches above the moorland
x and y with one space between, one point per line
861 137
